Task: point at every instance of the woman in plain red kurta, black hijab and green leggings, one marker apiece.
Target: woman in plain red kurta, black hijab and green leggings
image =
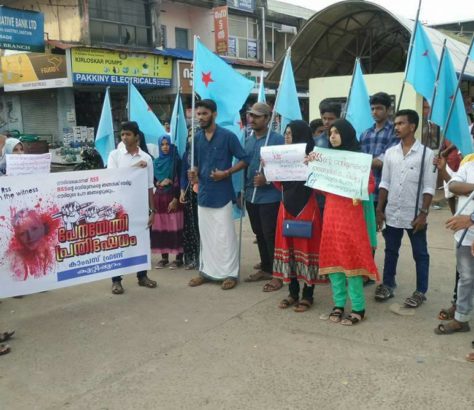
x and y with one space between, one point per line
345 253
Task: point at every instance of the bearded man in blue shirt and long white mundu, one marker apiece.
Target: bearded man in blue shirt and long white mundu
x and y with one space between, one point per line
214 149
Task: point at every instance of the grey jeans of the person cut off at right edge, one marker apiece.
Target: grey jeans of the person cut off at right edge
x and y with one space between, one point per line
465 267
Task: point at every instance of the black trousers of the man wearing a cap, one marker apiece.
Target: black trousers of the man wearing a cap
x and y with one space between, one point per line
263 219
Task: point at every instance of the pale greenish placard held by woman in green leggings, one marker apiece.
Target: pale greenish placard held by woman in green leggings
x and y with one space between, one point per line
343 173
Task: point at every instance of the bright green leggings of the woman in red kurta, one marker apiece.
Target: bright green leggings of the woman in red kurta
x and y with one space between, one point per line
355 286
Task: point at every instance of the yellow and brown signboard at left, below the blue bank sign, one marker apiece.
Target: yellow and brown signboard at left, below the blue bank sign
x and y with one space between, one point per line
31 71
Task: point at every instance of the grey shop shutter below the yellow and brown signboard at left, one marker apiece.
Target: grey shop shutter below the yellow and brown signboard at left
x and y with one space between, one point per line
40 113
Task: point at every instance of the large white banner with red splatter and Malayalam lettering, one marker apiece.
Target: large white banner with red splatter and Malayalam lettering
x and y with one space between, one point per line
72 228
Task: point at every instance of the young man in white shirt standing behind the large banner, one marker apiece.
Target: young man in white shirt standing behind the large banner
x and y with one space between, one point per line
133 156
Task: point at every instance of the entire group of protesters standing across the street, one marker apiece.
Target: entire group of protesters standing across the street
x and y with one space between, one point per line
304 236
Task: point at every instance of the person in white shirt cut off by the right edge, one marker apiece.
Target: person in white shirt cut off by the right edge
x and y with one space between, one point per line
462 184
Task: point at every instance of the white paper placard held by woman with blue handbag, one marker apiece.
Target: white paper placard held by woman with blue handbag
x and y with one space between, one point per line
284 162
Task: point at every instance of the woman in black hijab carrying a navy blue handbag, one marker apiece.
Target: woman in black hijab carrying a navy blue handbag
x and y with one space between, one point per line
296 258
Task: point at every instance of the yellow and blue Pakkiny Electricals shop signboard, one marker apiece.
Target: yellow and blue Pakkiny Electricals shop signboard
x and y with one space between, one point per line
109 67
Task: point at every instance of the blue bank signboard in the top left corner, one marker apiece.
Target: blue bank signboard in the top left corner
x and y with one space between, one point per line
21 30
